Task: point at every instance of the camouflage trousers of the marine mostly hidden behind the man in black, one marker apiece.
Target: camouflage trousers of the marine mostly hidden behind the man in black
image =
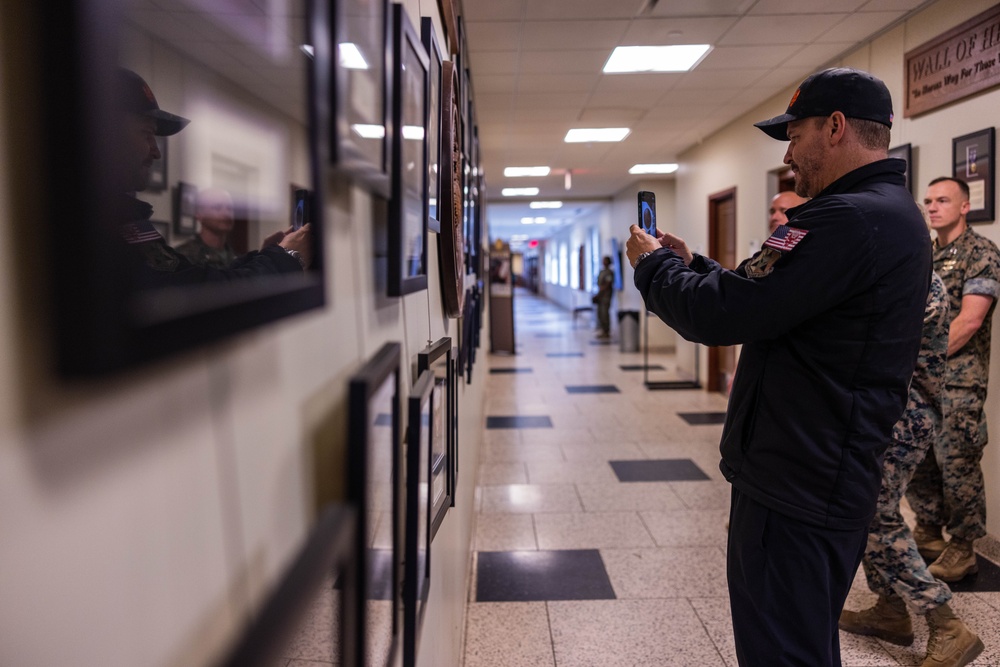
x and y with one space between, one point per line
893 566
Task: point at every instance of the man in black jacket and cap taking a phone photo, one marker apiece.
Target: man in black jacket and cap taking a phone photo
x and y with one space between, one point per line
829 314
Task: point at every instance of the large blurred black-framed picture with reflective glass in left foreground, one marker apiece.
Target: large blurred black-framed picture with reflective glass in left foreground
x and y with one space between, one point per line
123 295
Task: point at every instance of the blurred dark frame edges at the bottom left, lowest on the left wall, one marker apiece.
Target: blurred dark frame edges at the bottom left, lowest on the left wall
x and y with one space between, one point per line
329 548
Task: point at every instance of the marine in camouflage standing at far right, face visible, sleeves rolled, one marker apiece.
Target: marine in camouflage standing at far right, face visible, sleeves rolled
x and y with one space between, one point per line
947 488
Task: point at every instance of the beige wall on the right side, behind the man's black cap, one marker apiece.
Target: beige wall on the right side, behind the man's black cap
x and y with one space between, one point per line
741 156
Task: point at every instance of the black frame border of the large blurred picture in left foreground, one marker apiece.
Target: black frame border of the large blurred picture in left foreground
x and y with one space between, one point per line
103 320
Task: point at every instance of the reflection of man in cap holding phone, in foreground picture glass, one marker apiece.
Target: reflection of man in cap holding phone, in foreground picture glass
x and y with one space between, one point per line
156 264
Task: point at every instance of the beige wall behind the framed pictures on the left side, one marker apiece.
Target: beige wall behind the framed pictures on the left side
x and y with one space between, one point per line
144 517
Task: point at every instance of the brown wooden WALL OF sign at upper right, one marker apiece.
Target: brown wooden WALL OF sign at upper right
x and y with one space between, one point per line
962 61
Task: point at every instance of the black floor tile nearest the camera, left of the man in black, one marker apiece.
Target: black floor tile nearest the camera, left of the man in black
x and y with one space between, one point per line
522 576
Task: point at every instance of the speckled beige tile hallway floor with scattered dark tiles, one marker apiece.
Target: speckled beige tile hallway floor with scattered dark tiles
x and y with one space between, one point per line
584 558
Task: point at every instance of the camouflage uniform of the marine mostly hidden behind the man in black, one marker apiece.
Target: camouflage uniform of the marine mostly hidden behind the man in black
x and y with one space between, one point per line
892 564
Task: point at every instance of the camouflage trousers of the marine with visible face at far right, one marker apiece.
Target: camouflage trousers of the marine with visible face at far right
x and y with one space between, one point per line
947 488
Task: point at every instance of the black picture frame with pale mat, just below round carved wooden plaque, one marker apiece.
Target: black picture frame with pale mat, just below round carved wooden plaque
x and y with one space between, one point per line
437 358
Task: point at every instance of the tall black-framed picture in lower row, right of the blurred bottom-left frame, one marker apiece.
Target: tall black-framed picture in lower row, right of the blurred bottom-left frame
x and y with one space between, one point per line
377 375
